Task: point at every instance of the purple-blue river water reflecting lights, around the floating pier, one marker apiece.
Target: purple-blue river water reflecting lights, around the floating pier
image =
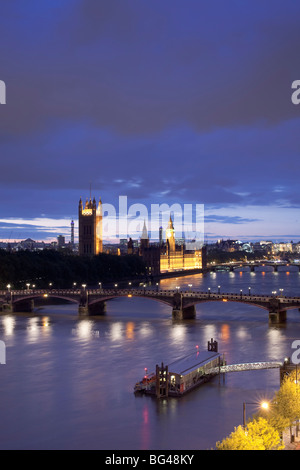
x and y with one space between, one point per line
68 381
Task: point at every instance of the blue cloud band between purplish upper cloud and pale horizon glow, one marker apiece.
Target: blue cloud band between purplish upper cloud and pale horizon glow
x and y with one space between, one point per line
242 166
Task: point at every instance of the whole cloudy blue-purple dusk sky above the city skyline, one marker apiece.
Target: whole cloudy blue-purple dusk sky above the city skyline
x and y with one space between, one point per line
163 101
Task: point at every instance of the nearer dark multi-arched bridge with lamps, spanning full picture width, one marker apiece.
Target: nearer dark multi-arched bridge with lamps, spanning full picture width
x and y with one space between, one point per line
182 303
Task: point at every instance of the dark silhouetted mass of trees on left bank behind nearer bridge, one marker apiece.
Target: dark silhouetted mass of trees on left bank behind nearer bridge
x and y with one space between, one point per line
64 269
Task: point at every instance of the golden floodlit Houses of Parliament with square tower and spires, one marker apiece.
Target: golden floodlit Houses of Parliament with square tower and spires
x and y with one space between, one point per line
162 257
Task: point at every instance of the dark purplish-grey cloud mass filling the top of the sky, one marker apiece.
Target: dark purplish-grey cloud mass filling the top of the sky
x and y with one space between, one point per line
139 68
